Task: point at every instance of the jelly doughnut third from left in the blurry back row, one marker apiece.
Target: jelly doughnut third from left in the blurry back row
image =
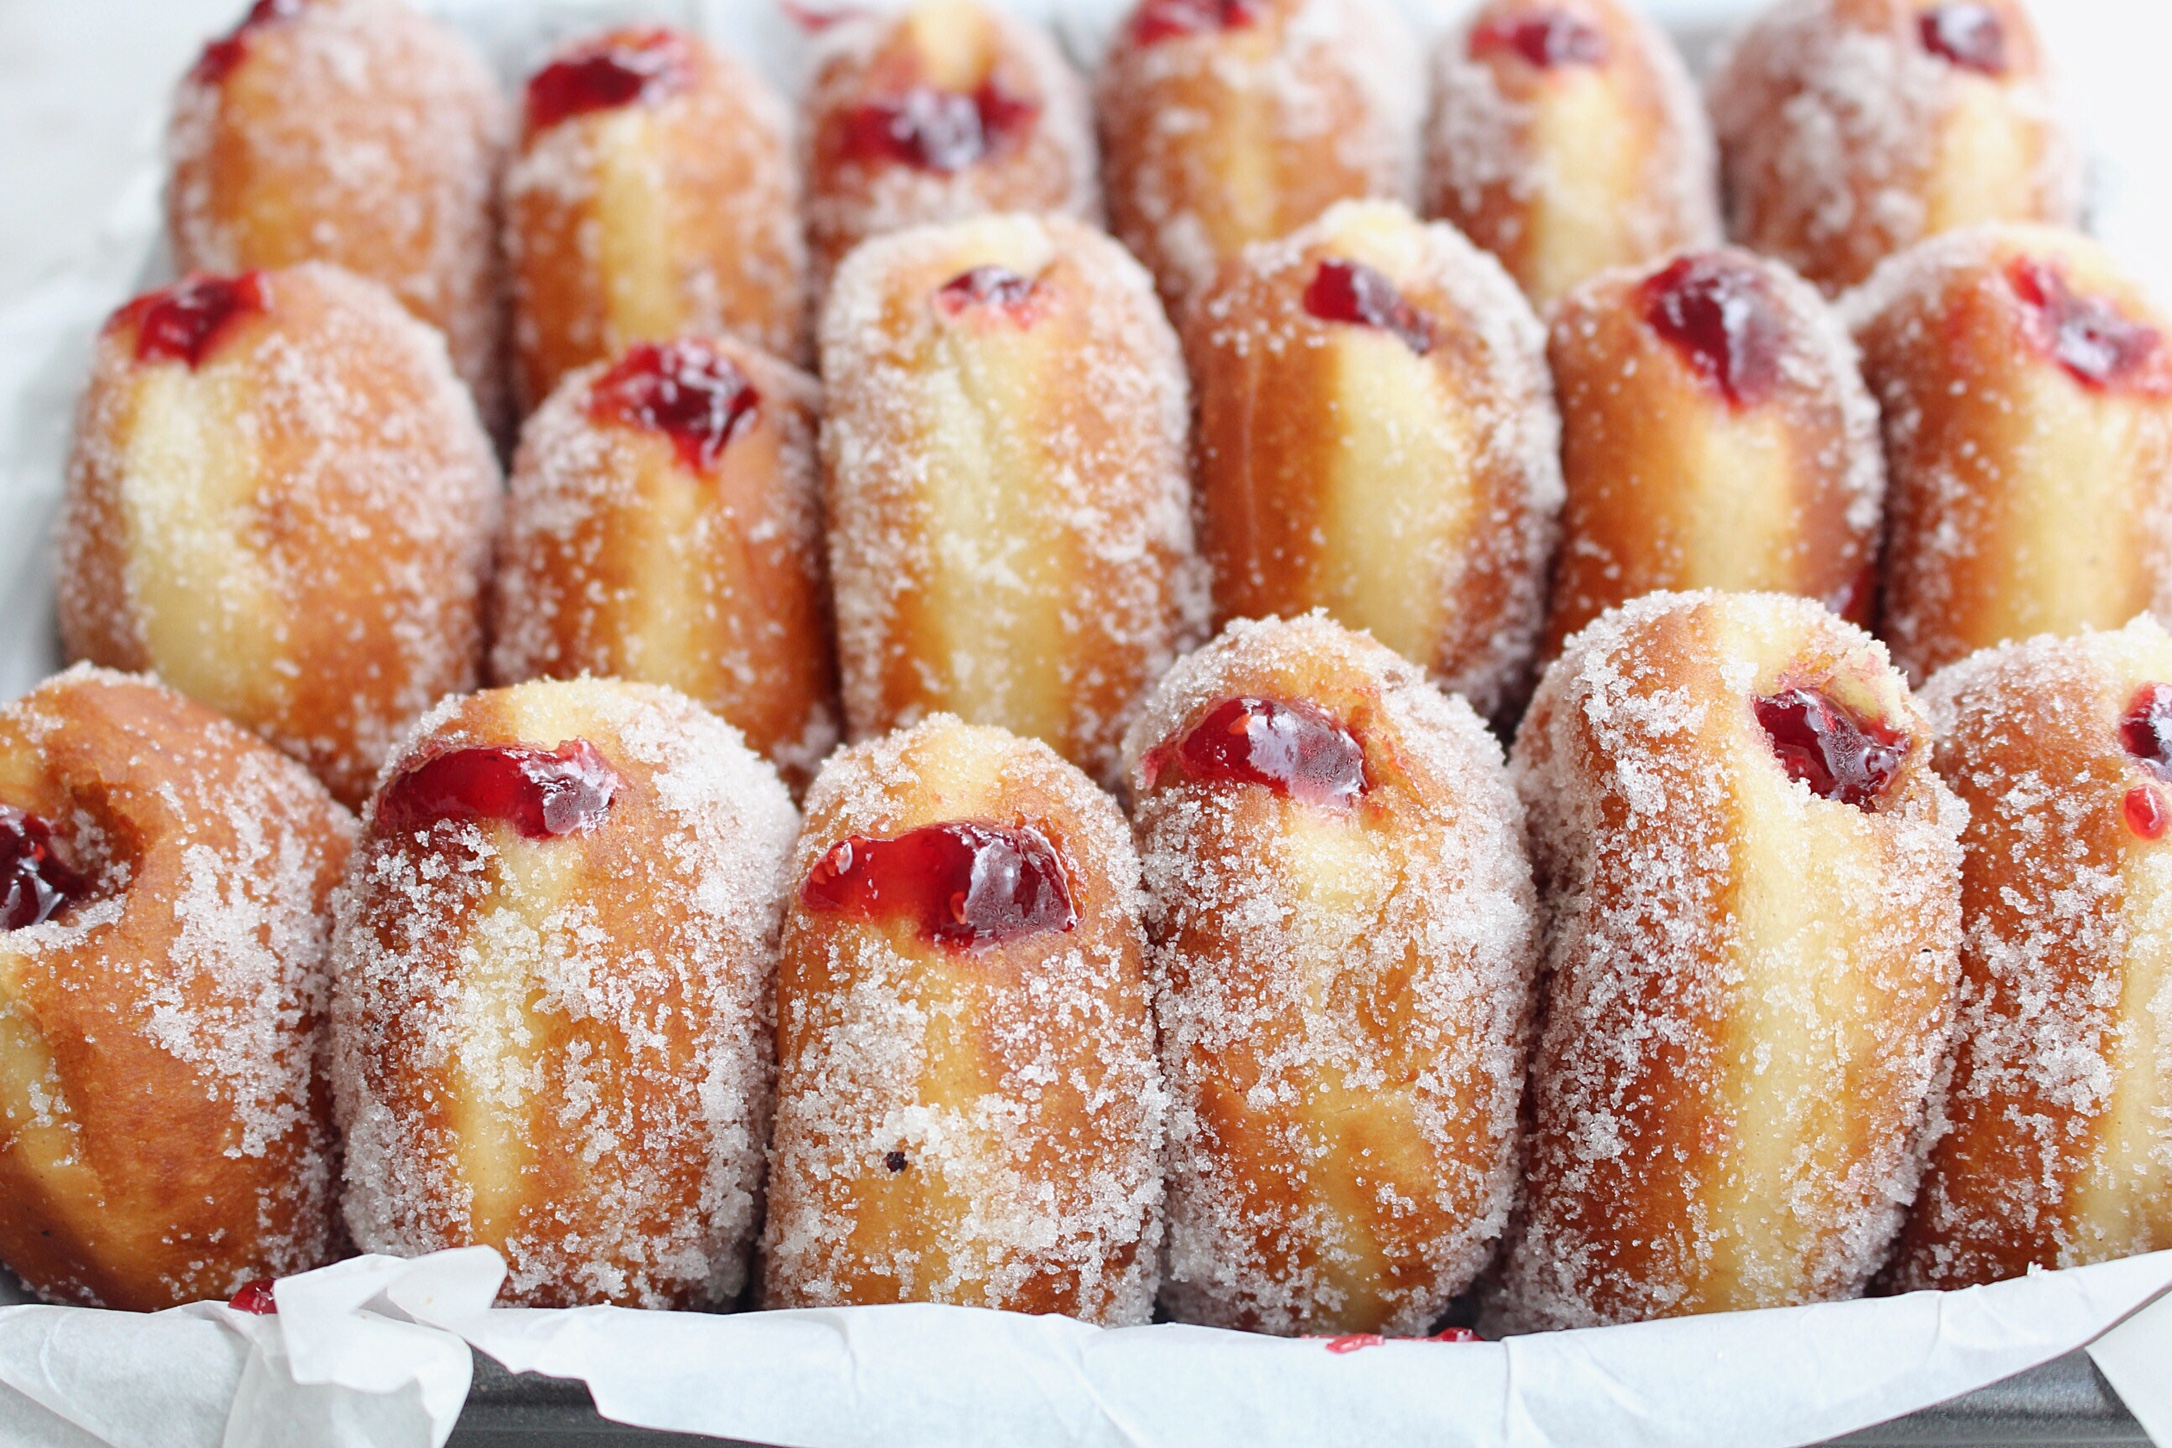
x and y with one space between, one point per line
942 112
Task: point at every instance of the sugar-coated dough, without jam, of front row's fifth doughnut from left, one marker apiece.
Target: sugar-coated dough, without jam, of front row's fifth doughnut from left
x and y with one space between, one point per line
1750 985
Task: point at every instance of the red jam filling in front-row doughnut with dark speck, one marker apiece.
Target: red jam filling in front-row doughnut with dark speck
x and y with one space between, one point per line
959 885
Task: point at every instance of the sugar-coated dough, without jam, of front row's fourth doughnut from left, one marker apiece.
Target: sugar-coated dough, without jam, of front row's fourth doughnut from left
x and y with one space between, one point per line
1343 993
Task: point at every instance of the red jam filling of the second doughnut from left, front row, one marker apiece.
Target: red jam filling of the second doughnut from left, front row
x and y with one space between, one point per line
538 791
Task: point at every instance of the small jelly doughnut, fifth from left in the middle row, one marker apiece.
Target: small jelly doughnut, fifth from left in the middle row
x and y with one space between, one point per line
1715 435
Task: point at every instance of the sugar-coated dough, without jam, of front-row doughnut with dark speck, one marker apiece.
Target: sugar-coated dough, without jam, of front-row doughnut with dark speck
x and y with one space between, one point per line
968 1123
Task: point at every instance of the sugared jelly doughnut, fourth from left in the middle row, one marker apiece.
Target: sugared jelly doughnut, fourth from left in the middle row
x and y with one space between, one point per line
1378 440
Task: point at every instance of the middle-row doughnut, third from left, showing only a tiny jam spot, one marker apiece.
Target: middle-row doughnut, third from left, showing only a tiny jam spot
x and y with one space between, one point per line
1005 459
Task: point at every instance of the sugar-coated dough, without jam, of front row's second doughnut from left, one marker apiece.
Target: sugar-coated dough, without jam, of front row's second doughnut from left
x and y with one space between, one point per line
559 1047
